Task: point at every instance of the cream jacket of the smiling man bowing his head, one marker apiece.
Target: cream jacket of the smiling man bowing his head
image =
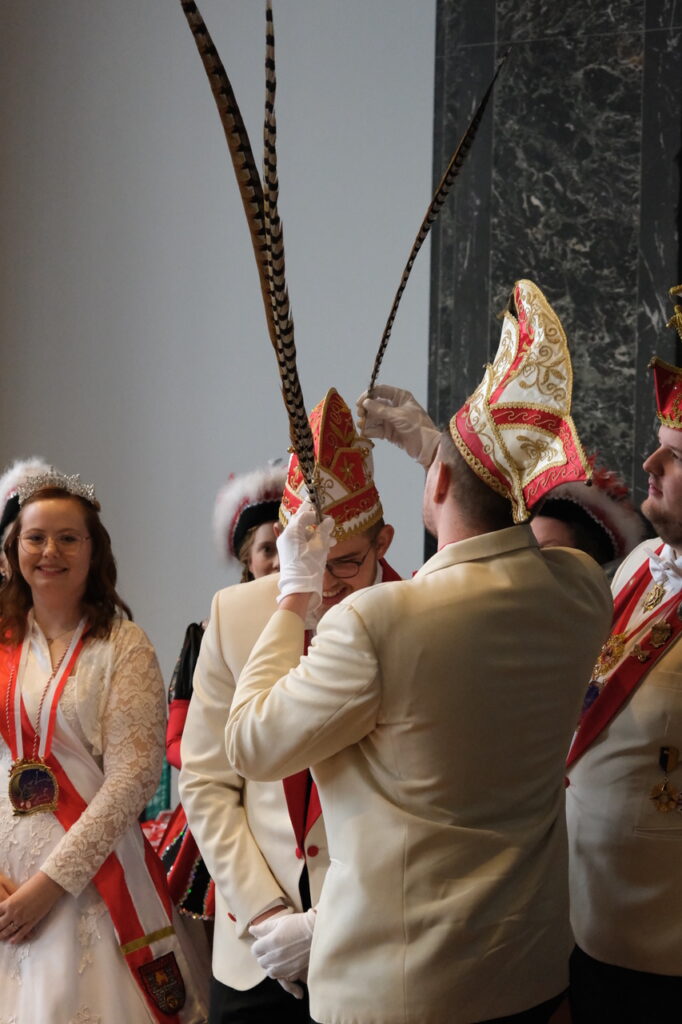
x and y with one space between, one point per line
243 830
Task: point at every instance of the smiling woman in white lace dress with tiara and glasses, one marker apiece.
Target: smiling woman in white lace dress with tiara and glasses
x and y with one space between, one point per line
88 932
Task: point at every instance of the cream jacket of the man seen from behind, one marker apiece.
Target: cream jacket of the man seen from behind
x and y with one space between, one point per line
438 714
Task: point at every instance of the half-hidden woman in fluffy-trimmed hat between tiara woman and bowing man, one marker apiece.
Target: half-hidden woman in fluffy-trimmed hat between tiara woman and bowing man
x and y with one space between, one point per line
244 518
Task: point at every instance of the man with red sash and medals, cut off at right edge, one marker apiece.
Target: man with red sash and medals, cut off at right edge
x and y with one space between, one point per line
625 796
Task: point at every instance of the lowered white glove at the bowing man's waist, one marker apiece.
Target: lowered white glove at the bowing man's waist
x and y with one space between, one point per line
283 946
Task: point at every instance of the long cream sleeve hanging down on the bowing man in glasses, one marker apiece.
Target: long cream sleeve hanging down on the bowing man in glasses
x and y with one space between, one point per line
212 793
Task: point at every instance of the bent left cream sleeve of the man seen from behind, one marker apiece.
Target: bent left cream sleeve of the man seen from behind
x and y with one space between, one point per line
290 713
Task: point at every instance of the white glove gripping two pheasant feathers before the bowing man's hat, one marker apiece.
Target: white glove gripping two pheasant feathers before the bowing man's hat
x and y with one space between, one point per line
304 549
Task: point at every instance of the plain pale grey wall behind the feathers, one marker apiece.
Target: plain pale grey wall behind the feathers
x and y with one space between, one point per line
133 339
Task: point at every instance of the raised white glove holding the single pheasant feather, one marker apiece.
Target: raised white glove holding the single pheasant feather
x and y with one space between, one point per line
397 416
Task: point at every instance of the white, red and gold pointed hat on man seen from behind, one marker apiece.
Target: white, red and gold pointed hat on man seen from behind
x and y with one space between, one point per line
516 432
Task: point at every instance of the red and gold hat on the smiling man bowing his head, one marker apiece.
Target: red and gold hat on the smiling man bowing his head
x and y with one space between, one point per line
344 472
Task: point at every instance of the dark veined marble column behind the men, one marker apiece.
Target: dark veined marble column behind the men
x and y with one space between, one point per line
574 182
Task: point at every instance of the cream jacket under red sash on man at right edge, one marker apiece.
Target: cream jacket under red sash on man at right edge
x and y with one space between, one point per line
626 858
